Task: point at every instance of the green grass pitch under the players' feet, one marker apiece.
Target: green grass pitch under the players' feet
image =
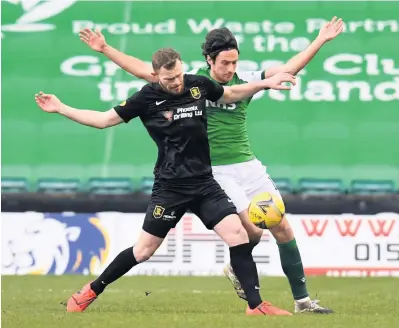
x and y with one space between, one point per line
34 301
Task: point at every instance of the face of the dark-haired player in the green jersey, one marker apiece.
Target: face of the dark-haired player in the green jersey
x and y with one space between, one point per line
225 65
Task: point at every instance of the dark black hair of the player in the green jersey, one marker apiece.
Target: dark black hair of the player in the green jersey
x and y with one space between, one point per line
218 40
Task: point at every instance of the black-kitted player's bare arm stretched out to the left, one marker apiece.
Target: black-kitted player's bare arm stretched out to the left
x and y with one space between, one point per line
100 120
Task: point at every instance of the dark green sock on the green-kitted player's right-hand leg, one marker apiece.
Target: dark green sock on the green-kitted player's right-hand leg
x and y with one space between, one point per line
292 266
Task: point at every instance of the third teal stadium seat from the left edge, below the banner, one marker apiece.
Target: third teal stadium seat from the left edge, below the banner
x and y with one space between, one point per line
110 186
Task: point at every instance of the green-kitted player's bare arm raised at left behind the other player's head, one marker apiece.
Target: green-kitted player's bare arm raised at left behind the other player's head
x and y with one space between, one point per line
96 41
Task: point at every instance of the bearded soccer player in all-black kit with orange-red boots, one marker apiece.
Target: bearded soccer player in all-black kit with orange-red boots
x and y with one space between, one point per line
174 114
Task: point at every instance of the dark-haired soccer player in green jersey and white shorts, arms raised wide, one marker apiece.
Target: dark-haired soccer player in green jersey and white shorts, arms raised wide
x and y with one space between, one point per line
234 166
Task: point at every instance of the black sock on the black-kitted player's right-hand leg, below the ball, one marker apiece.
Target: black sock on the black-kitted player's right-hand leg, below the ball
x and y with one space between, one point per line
244 267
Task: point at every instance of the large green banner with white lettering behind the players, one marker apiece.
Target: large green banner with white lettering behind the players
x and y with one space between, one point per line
340 121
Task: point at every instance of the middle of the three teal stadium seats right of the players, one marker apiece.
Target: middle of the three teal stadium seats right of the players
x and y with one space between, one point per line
315 187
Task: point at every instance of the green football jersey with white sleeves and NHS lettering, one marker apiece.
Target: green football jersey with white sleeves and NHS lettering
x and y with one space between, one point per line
227 128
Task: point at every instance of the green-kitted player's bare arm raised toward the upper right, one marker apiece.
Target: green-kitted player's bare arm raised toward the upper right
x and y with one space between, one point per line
328 32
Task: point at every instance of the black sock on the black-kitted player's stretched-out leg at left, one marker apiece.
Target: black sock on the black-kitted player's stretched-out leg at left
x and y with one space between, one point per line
116 269
